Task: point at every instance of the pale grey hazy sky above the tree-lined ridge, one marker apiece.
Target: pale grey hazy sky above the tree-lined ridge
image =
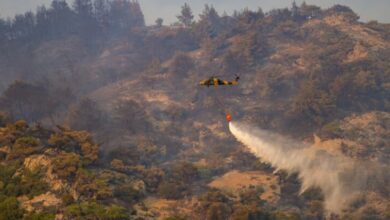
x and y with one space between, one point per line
168 9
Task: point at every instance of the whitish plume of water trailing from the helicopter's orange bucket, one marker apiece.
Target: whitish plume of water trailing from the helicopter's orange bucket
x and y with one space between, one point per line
315 167
